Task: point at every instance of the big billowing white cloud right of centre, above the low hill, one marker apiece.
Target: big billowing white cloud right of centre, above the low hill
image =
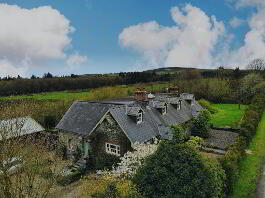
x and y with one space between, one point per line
191 42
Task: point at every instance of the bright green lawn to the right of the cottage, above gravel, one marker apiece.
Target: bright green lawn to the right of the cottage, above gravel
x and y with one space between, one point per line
228 115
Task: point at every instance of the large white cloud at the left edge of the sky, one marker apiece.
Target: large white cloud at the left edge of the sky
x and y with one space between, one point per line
35 35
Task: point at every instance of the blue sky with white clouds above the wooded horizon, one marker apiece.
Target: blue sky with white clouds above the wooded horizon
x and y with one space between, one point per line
101 36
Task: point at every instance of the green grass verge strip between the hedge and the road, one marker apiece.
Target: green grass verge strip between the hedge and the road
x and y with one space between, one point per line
251 167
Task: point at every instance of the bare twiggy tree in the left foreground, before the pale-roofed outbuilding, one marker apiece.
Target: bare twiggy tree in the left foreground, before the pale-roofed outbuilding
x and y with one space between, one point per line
27 170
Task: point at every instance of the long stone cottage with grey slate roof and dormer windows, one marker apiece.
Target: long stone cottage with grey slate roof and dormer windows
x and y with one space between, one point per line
112 126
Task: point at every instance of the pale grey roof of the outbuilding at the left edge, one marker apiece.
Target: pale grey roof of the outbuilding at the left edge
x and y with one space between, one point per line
18 127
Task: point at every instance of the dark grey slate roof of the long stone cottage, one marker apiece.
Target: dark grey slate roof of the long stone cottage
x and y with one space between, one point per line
83 117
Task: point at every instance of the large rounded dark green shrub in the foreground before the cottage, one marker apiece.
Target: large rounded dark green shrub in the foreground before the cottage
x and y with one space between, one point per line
179 171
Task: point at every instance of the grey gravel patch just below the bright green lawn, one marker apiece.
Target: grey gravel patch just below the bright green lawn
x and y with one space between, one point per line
221 139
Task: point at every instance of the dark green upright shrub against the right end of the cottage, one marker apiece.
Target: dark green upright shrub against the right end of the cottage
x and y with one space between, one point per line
200 125
